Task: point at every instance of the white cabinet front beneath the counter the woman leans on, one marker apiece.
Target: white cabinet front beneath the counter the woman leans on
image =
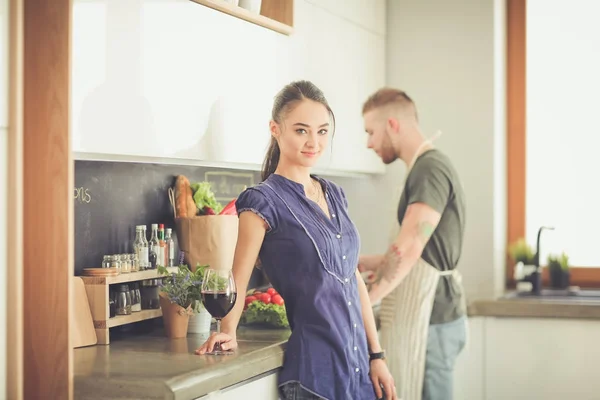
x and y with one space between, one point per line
261 388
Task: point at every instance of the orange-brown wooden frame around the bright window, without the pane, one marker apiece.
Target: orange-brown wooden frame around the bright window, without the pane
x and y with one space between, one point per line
516 144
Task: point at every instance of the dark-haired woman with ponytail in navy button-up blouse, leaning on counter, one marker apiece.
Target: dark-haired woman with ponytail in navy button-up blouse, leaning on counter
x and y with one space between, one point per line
298 224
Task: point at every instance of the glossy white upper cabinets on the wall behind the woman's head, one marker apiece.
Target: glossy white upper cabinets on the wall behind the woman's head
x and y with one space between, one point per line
177 80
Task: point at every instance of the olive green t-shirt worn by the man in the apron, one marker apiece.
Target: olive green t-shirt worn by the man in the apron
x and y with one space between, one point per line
434 181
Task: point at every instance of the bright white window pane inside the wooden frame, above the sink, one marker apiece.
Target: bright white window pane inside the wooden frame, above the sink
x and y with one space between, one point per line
563 128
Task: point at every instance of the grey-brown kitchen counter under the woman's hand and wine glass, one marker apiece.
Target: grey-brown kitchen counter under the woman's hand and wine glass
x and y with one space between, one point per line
155 367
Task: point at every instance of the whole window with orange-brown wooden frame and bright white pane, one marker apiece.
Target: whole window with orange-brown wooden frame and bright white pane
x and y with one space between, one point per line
554 134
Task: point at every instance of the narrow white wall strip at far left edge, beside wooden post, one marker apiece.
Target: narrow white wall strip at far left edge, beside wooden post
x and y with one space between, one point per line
3 186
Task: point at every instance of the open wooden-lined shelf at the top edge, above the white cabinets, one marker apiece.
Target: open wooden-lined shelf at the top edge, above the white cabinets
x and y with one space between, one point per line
277 15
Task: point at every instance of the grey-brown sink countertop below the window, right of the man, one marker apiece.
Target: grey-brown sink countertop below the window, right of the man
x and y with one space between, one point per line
535 308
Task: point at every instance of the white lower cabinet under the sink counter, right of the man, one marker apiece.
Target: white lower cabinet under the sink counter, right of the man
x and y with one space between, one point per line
551 359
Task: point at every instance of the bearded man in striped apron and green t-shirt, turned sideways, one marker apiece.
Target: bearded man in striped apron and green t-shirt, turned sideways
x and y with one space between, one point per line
423 310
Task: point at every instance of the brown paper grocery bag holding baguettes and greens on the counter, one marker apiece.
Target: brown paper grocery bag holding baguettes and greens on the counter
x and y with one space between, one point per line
207 239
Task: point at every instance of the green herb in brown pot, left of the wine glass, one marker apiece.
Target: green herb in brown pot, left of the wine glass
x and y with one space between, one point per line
176 300
